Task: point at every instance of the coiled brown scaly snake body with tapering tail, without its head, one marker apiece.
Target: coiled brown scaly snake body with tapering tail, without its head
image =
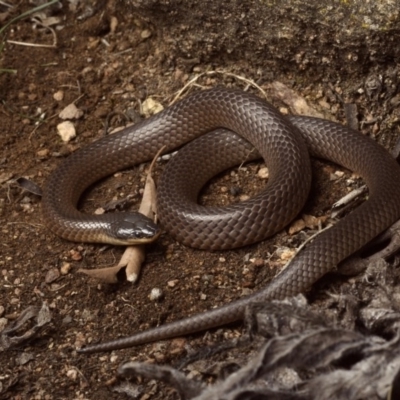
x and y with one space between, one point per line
281 141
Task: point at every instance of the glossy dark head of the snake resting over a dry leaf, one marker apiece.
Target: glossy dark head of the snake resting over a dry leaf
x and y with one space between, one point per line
134 228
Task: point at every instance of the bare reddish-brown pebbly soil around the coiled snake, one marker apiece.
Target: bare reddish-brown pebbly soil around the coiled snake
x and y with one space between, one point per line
104 68
